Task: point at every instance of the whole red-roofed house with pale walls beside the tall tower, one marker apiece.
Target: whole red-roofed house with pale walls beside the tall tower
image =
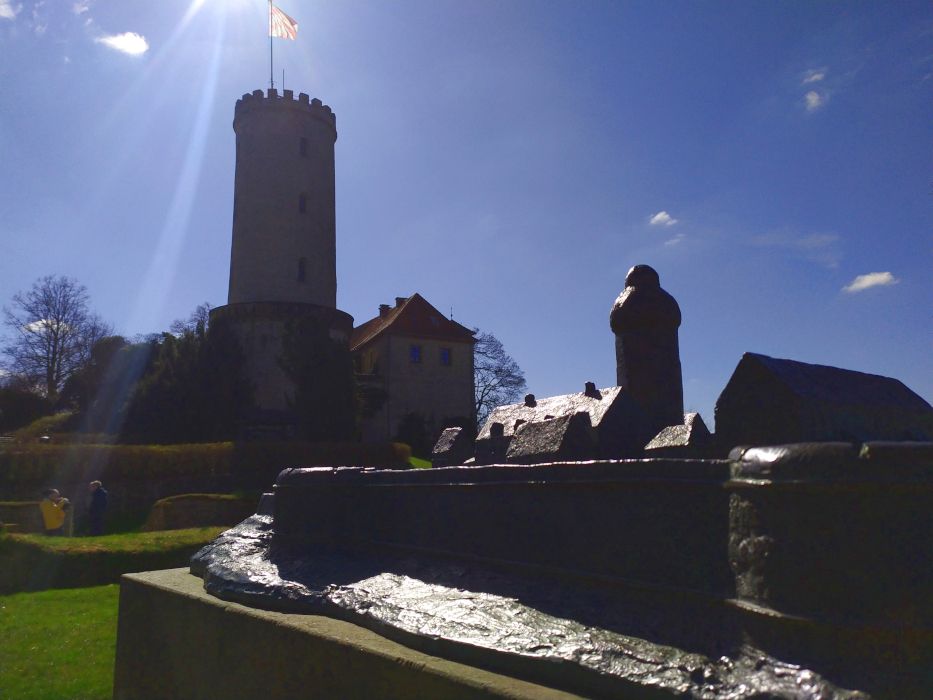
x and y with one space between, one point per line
419 362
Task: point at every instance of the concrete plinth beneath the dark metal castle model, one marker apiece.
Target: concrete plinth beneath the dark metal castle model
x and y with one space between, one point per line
175 640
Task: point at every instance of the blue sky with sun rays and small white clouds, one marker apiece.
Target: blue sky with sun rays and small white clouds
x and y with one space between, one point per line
506 159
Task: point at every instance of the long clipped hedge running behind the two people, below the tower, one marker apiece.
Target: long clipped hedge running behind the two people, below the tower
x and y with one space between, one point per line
40 464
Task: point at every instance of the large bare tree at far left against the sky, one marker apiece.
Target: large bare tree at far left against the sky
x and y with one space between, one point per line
52 332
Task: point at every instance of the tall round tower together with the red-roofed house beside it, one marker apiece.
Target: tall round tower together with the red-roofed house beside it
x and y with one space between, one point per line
410 360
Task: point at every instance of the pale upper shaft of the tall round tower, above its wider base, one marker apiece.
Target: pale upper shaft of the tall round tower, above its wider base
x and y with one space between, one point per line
284 228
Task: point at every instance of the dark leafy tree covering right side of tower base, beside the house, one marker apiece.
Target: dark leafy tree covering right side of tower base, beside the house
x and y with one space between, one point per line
324 402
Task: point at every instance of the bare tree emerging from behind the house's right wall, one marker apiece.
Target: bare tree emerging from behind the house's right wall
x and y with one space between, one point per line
497 378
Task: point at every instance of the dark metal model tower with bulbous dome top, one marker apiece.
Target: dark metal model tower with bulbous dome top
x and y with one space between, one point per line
645 320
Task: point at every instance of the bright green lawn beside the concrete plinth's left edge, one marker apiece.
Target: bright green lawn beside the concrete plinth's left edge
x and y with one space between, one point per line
58 644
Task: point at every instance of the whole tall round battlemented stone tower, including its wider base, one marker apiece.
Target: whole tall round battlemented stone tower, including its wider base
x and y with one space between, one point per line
283 255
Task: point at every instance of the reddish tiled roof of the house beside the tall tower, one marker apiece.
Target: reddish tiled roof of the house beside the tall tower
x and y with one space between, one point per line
414 317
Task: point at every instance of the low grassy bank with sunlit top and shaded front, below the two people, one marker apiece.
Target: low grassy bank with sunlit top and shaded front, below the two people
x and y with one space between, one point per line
36 562
